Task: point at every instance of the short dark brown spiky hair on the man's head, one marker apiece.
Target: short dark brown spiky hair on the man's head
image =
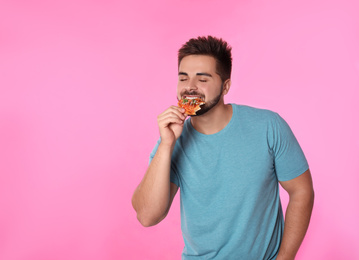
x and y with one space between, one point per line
210 46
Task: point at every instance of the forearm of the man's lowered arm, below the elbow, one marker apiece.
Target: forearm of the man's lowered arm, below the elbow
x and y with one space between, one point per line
296 224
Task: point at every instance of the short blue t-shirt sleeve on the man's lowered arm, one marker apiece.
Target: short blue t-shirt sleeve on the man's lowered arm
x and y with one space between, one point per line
289 159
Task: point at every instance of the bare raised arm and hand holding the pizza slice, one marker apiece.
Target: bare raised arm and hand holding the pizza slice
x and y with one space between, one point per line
153 197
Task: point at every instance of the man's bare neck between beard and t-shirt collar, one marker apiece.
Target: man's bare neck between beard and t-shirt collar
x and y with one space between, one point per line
214 120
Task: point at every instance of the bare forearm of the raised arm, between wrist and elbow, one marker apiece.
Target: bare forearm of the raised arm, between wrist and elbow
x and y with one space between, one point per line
152 196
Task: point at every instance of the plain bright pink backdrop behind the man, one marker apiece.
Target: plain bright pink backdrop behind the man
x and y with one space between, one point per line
78 119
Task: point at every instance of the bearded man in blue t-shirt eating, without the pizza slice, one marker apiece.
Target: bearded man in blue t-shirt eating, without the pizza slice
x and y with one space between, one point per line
227 161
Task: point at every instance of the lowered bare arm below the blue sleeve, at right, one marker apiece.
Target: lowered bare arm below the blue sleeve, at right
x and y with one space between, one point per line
297 217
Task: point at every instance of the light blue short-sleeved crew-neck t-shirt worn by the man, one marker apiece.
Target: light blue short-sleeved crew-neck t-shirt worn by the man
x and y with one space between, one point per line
229 193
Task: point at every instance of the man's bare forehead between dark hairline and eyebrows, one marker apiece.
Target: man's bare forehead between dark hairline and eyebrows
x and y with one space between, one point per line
197 63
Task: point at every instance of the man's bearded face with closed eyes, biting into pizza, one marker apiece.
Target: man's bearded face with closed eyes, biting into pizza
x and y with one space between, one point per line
197 77
